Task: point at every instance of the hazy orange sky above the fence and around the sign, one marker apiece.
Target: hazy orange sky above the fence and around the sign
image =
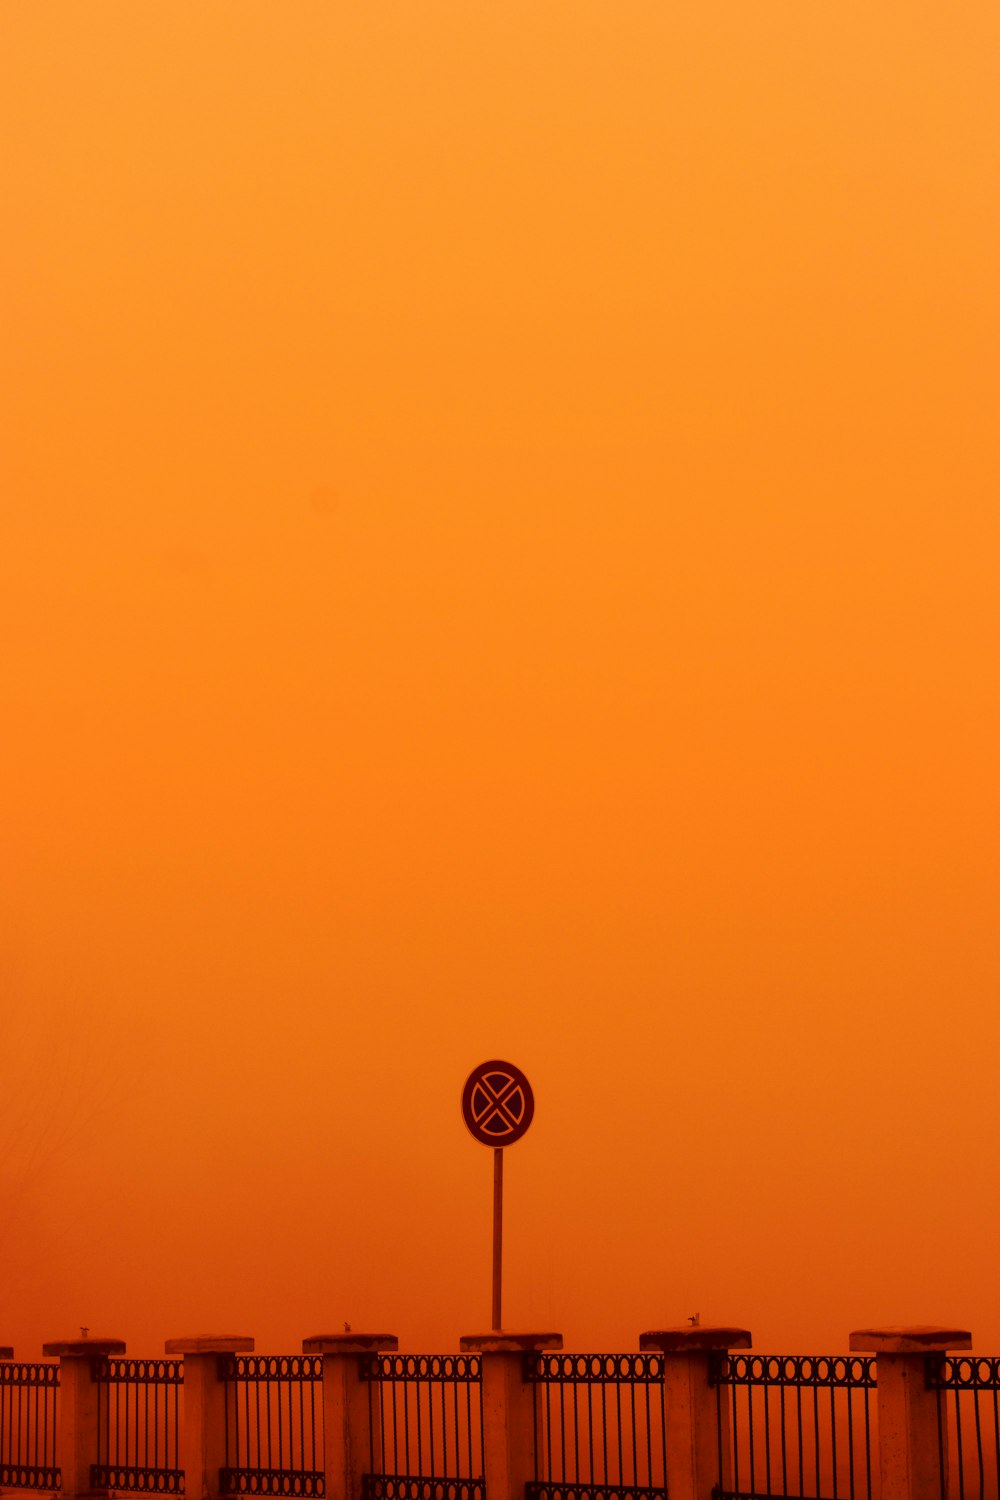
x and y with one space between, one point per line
500 559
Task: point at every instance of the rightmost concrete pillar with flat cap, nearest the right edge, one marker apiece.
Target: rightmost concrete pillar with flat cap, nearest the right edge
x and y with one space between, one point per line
912 1447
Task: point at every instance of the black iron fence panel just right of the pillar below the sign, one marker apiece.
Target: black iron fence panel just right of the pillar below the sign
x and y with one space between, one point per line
600 1427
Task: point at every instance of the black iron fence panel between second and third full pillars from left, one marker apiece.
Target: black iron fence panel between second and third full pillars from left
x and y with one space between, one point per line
274 1424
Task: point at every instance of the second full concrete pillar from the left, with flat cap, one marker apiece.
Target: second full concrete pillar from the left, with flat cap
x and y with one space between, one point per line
203 1439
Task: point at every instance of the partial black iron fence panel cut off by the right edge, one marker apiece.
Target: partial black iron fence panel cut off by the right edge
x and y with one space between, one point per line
968 1427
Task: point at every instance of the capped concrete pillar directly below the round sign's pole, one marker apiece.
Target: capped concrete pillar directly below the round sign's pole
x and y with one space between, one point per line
509 1409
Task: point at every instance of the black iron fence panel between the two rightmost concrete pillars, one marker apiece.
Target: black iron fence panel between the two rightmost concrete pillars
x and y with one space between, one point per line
801 1426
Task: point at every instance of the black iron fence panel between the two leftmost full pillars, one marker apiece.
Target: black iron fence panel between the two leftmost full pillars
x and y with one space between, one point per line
139 1426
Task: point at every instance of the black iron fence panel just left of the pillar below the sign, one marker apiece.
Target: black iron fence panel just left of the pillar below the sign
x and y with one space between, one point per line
425 1427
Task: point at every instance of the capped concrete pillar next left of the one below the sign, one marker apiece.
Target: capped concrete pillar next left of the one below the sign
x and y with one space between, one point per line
352 1411
